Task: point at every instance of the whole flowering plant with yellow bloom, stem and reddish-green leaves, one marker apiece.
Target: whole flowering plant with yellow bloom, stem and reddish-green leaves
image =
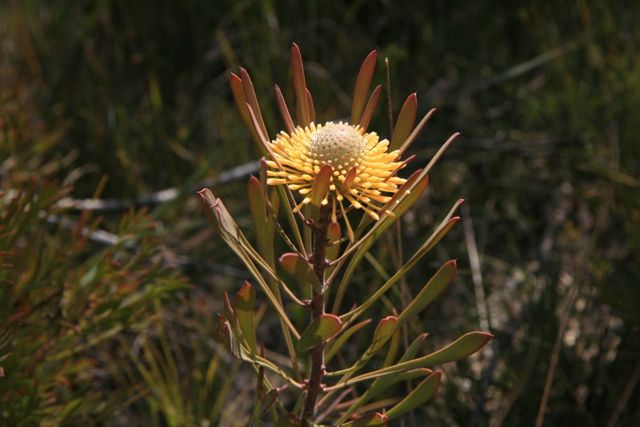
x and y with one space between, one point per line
317 177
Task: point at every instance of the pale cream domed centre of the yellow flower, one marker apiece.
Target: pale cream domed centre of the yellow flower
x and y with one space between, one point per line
338 145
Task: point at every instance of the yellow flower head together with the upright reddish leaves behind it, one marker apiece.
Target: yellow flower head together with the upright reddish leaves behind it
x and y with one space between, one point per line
337 164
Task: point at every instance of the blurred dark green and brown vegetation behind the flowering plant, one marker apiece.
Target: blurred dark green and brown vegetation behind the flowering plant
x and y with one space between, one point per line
108 316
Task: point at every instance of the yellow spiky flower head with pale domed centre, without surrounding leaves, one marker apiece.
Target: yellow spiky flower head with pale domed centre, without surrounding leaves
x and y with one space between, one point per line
362 170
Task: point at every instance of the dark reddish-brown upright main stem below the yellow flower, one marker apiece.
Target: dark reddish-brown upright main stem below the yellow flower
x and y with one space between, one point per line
314 382
